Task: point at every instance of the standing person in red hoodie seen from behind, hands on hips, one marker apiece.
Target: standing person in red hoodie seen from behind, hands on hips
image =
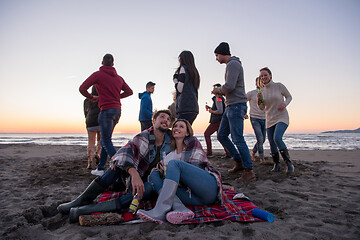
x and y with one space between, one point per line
111 88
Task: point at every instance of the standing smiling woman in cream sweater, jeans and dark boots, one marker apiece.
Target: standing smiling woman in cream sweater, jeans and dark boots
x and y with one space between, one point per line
277 117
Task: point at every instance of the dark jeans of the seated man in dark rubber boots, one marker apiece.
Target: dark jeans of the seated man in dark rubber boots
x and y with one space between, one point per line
110 177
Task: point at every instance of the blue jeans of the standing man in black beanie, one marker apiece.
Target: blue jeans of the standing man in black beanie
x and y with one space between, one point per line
232 122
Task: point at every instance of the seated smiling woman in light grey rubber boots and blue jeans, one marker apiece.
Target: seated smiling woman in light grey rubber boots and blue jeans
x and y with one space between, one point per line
189 179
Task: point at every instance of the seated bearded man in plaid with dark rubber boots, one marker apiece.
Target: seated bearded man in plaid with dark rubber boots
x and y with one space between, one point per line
132 163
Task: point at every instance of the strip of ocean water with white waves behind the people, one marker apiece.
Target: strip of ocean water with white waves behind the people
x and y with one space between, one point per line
313 141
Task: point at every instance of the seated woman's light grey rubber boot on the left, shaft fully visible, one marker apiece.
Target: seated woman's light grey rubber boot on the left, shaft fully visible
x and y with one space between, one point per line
163 205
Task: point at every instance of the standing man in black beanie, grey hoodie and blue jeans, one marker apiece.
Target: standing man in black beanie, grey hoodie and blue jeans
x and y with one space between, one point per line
232 121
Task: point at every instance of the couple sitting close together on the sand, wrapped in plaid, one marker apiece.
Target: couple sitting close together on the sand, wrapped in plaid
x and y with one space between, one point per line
189 179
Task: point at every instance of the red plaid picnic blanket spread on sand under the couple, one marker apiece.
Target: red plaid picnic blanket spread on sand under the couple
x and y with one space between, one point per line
234 210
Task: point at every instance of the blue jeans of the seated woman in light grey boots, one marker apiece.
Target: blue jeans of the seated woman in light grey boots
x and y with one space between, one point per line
197 186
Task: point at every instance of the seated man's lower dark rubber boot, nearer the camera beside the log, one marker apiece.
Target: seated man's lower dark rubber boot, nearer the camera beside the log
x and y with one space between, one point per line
108 206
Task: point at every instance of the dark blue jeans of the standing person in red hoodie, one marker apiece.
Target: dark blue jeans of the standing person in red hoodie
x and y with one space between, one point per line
107 120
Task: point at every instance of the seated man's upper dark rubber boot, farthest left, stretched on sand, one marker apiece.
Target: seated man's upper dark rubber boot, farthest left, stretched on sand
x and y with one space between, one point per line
90 193
